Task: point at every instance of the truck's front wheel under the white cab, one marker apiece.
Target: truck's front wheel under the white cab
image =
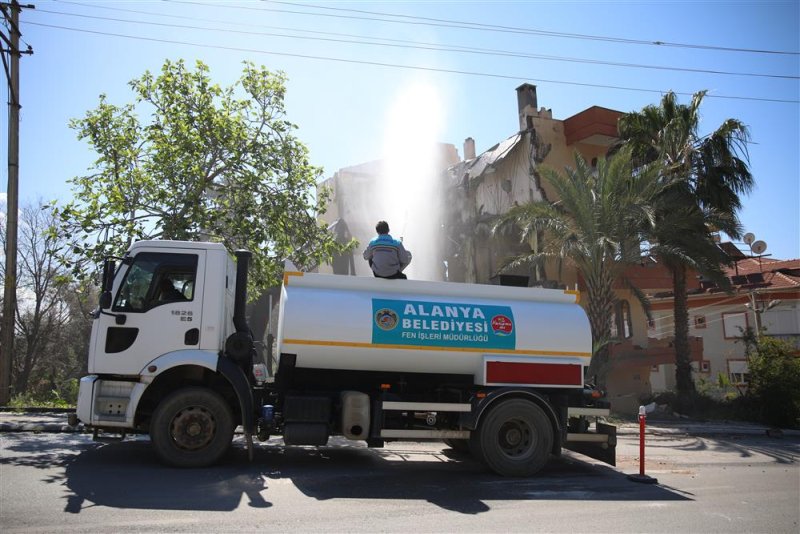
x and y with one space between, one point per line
192 427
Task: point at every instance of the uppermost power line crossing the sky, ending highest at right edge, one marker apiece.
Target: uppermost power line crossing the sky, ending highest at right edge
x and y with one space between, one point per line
446 23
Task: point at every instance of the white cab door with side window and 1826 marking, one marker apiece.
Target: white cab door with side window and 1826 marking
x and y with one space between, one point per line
157 308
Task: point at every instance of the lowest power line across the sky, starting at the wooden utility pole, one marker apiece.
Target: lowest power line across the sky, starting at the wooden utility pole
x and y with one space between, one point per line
407 67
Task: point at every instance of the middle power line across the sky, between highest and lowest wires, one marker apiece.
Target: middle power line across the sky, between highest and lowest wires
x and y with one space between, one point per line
405 44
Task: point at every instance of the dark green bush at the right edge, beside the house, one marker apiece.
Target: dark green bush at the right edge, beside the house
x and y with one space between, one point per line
774 381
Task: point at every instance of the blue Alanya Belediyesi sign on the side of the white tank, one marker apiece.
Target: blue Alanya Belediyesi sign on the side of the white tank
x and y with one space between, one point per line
442 324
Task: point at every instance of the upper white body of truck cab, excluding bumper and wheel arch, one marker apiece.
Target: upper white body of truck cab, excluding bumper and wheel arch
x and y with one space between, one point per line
168 297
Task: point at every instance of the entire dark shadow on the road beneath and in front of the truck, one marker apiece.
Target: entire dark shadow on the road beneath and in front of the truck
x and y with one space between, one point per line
127 475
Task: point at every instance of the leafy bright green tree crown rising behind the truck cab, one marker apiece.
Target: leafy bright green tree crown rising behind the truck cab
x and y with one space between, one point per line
210 163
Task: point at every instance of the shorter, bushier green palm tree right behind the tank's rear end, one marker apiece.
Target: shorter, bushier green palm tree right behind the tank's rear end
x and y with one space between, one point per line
595 227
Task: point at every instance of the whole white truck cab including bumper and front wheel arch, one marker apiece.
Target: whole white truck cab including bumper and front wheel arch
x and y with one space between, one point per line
165 316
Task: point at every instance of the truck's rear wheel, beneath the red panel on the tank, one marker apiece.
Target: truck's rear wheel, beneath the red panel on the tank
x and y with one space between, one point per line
514 438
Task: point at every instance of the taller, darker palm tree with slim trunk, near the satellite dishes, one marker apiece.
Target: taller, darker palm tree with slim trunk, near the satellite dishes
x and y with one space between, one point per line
708 174
